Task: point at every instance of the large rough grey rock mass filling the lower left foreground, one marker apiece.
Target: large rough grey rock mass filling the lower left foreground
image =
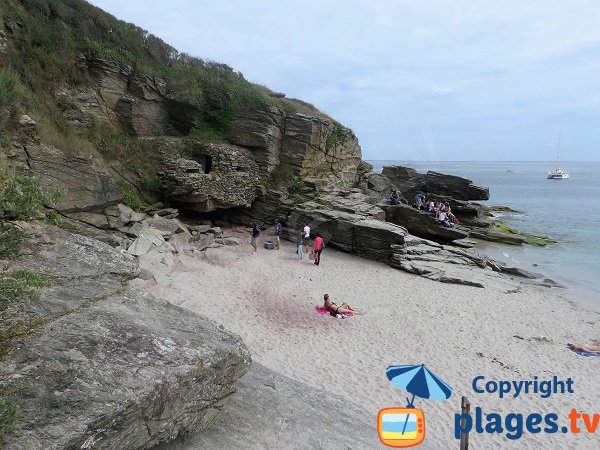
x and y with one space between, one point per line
107 366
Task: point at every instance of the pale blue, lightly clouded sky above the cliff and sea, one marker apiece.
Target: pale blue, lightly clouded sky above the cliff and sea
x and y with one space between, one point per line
458 80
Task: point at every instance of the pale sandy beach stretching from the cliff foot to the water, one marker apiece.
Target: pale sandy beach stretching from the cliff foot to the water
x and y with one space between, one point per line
459 332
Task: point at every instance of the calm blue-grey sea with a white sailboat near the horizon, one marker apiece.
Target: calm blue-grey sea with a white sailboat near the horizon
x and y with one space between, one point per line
566 210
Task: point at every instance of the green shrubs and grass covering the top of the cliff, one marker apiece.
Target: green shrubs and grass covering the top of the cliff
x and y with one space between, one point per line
46 51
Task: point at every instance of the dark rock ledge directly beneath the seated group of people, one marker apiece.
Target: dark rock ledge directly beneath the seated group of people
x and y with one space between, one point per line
421 223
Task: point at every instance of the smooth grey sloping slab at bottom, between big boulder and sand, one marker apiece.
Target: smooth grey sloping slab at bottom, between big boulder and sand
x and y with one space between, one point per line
271 411
